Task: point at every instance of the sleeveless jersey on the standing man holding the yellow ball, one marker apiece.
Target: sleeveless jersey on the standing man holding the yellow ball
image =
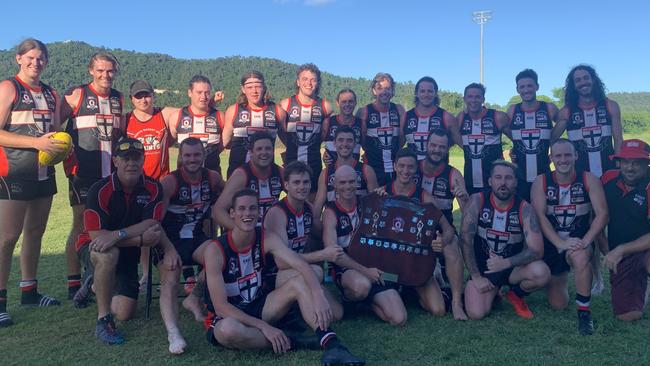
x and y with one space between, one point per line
32 112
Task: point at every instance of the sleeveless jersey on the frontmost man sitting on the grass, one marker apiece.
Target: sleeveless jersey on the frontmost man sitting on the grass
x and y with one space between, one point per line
242 270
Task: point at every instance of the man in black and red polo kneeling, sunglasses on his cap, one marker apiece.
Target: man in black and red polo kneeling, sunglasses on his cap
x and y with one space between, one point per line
122 215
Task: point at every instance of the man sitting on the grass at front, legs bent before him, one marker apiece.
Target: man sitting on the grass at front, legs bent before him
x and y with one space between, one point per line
241 306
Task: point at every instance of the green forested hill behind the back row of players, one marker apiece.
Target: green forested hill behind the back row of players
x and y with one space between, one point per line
68 67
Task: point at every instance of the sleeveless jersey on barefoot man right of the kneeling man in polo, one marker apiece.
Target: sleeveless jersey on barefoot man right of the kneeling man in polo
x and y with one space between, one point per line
189 205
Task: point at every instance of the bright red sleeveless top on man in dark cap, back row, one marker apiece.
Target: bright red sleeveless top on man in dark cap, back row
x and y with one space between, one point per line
156 139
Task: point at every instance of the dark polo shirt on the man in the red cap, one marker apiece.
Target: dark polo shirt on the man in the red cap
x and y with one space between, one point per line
629 212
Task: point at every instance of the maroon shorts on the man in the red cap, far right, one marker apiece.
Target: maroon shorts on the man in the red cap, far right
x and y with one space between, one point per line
629 283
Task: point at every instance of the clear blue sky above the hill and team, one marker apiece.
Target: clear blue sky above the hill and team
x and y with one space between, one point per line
358 38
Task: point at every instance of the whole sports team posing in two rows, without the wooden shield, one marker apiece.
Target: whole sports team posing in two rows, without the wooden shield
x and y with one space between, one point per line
525 224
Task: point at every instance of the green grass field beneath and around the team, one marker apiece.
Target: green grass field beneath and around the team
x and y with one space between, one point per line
65 336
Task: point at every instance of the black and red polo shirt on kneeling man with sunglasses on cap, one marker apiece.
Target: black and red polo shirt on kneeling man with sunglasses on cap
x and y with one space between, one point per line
109 207
